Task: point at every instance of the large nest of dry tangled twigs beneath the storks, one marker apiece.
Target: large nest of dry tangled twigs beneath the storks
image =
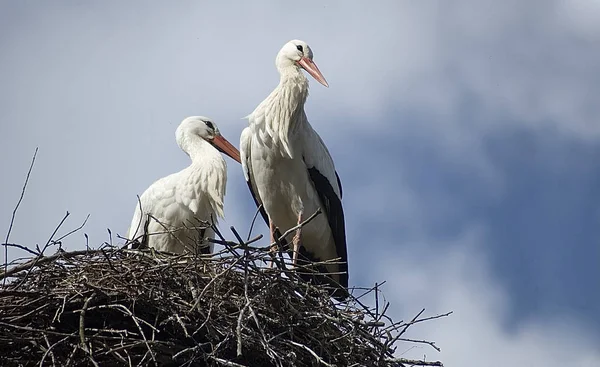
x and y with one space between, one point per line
115 306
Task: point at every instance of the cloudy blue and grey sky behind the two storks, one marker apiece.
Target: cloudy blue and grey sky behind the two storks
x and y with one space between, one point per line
466 134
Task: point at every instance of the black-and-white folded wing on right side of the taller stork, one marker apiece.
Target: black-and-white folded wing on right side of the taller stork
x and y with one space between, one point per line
327 184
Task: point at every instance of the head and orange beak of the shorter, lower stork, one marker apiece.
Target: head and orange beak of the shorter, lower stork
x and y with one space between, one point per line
205 128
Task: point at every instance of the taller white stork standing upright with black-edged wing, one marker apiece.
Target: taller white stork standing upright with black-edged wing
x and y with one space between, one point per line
290 171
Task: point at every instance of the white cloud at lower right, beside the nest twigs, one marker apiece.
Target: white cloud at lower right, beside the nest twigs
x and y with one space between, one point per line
456 278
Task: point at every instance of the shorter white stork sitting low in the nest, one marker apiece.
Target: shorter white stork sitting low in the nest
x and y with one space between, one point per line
171 207
